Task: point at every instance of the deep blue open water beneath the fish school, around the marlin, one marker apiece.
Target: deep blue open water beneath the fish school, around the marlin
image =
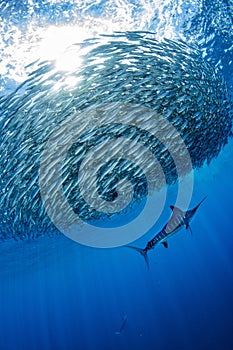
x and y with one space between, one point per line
56 294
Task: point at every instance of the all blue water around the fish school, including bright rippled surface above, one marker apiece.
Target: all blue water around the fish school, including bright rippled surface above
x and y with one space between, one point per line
57 294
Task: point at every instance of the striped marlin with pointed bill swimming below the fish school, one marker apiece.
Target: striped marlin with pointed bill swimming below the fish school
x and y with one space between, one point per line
177 221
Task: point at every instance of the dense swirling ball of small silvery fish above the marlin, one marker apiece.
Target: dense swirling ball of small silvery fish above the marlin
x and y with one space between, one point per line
168 77
